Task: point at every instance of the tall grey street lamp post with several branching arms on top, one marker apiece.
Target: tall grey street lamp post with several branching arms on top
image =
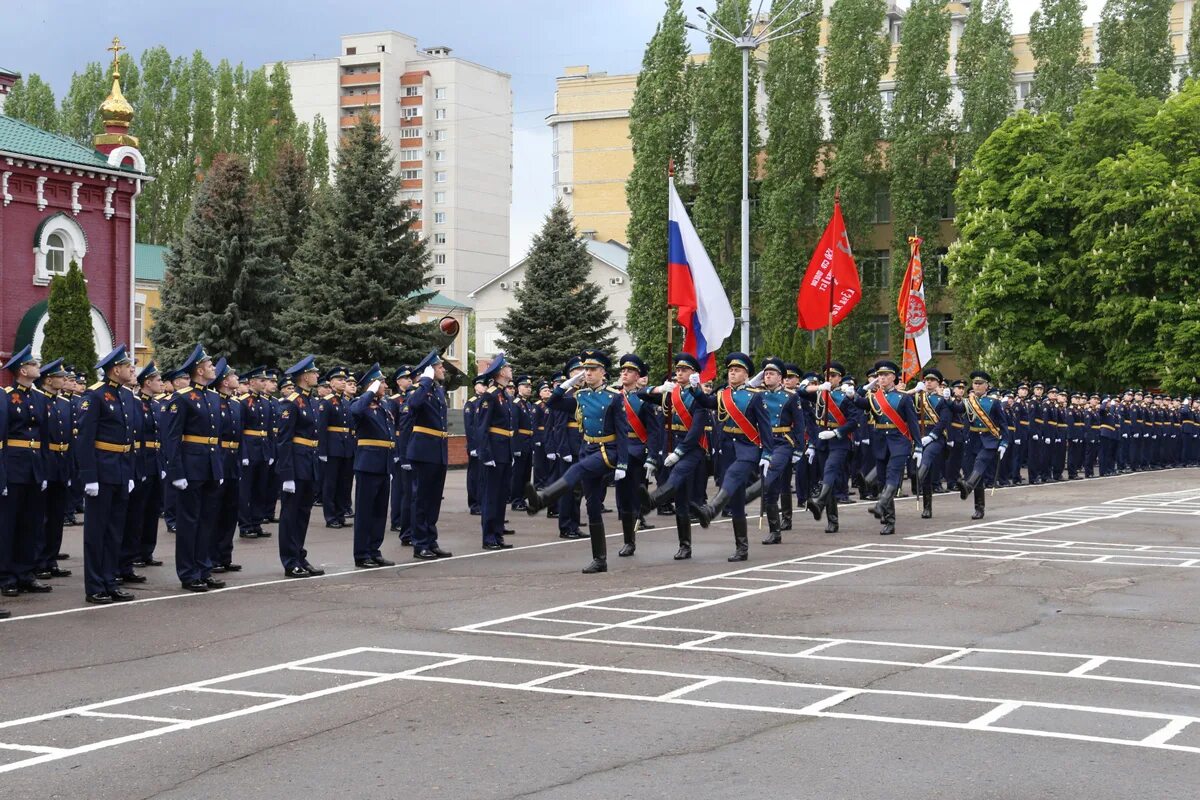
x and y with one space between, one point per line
748 41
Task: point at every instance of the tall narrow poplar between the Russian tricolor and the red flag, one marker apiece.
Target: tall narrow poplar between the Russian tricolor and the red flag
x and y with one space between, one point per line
790 191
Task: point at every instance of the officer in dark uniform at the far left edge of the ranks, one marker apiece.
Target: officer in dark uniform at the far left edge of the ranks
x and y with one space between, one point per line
22 507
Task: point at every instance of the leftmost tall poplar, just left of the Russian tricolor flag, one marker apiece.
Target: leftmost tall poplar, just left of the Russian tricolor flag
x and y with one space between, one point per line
658 131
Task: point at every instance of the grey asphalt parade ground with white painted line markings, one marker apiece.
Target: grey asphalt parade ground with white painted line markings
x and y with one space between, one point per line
1049 651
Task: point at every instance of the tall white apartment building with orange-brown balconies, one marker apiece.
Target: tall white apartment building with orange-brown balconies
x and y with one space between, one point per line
449 123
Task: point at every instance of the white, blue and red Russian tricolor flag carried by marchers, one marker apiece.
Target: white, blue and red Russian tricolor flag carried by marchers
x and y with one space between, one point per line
695 291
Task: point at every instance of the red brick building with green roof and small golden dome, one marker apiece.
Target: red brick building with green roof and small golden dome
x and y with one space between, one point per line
61 202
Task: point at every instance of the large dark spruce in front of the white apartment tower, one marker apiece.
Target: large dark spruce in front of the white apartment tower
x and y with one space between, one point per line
361 274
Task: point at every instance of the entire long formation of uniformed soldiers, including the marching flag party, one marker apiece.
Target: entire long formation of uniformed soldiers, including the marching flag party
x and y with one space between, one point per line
215 453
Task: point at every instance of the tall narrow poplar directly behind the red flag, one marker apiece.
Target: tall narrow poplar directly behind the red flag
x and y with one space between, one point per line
856 58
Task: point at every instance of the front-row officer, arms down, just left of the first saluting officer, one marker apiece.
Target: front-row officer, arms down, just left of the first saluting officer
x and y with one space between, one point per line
297 467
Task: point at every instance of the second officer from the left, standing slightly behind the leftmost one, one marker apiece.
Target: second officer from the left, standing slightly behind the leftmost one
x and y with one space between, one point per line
59 462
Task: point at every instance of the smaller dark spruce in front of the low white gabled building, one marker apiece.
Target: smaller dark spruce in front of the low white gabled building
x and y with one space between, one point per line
560 310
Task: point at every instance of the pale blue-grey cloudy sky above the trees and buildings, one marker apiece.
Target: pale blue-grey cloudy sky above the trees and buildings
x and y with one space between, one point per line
531 40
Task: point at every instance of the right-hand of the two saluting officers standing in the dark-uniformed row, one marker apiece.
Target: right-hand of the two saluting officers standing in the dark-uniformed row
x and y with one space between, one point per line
428 452
